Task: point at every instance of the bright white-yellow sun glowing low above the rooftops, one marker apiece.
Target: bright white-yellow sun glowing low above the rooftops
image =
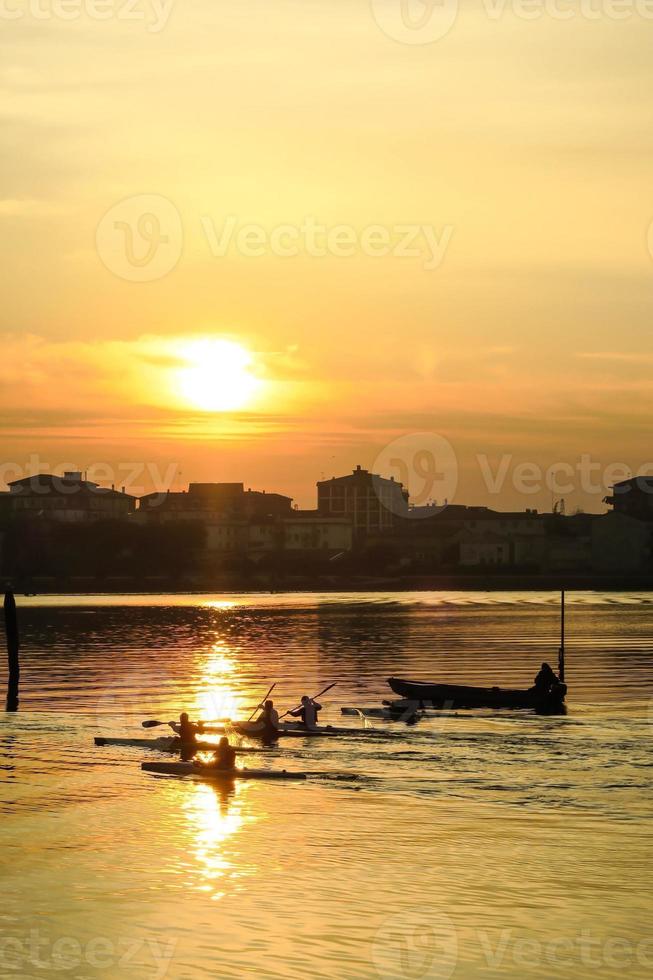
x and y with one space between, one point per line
217 375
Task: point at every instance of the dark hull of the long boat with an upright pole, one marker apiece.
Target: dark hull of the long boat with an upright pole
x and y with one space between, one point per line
460 696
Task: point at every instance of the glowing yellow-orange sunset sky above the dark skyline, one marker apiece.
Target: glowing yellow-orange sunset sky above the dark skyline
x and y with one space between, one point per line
523 146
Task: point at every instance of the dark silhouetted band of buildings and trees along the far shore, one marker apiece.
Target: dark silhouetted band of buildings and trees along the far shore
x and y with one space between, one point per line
362 524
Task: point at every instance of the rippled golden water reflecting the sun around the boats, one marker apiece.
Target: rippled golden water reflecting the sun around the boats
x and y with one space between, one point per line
473 844
